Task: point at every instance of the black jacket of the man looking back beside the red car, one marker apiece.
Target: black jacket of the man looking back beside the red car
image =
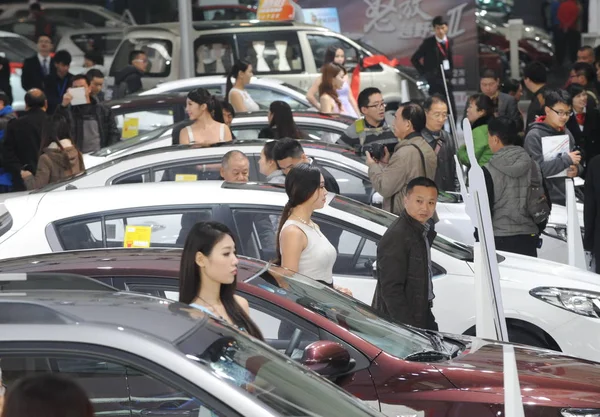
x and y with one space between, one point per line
402 291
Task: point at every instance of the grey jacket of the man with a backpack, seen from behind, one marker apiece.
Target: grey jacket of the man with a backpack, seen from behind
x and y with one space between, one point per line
511 172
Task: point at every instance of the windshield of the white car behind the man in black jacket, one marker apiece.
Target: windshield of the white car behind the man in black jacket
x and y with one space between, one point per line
383 218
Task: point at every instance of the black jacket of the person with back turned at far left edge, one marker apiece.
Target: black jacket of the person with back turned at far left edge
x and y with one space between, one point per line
21 146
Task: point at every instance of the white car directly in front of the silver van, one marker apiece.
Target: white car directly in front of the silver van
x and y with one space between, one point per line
262 90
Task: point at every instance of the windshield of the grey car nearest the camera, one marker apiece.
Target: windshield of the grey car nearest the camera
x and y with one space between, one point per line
269 377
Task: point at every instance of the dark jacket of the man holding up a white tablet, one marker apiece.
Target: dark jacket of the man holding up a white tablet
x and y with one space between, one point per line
107 126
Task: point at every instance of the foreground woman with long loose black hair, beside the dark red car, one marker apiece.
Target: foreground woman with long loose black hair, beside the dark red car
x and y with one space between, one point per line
207 276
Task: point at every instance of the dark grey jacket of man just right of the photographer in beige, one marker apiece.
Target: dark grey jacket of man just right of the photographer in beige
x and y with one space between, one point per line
445 175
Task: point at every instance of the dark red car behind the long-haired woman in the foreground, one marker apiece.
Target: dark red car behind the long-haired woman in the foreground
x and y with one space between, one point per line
387 365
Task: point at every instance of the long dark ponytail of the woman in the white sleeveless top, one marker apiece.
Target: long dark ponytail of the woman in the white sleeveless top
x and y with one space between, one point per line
300 184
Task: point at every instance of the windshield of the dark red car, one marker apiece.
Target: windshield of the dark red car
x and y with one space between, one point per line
347 312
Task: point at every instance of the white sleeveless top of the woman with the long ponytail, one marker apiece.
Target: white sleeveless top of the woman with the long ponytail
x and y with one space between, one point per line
317 259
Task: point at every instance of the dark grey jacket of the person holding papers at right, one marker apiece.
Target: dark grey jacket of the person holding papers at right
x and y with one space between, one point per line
533 146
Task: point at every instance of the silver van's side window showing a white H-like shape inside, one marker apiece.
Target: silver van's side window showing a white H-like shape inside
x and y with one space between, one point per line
271 52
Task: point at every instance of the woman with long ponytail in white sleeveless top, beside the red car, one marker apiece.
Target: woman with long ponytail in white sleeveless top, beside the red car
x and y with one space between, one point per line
301 246
